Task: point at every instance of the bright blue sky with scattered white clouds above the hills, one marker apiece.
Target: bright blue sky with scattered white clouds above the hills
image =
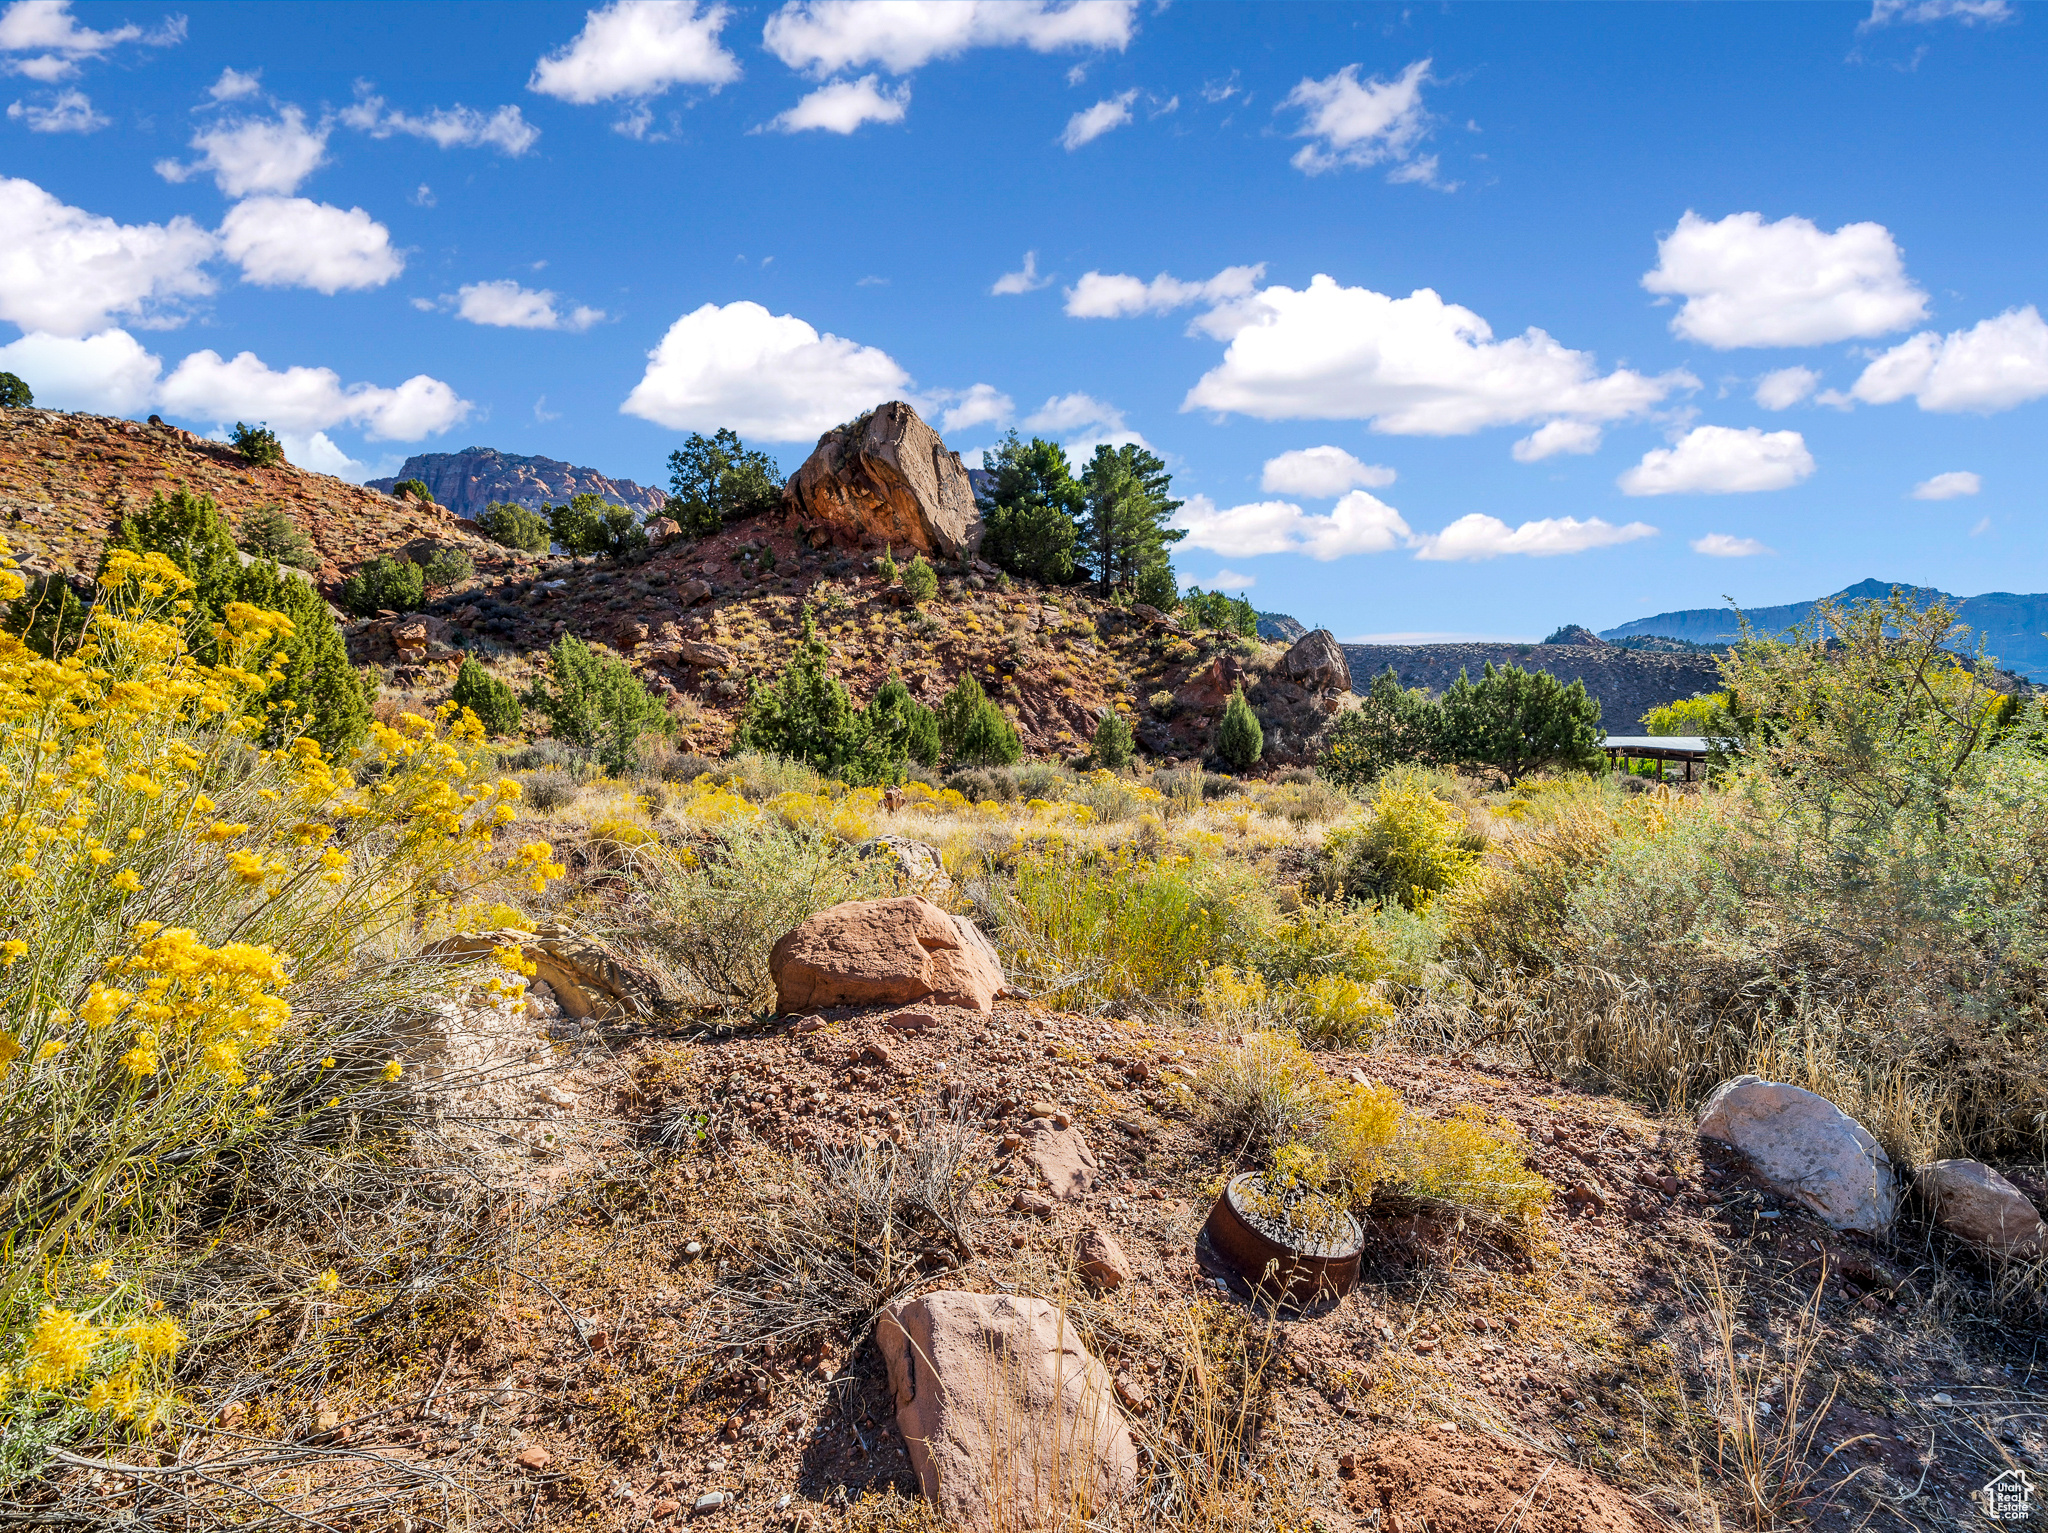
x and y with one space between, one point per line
1463 320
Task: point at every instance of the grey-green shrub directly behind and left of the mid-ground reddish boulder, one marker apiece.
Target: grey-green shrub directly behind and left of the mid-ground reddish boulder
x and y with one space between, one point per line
718 910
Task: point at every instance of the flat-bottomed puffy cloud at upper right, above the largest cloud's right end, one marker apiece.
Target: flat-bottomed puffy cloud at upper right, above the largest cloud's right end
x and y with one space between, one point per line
1754 283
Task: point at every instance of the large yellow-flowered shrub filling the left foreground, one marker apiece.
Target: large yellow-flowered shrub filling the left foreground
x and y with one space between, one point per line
204 959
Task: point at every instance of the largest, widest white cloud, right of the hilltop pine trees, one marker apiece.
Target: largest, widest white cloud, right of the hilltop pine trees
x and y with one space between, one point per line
1414 367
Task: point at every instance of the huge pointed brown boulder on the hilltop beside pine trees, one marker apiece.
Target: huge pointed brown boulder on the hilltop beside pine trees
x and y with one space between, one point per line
888 478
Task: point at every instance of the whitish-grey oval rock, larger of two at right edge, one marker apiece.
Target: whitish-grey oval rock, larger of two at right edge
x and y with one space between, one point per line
1807 1149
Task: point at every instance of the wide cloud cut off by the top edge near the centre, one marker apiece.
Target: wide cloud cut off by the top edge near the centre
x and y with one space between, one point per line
828 36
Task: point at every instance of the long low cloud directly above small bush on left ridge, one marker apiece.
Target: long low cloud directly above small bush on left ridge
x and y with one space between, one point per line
308 398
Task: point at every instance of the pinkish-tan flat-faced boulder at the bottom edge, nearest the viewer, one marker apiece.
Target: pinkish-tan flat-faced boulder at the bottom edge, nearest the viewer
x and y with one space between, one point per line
1011 1421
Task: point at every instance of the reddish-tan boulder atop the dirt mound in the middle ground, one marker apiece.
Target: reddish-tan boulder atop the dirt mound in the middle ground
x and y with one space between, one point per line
886 953
